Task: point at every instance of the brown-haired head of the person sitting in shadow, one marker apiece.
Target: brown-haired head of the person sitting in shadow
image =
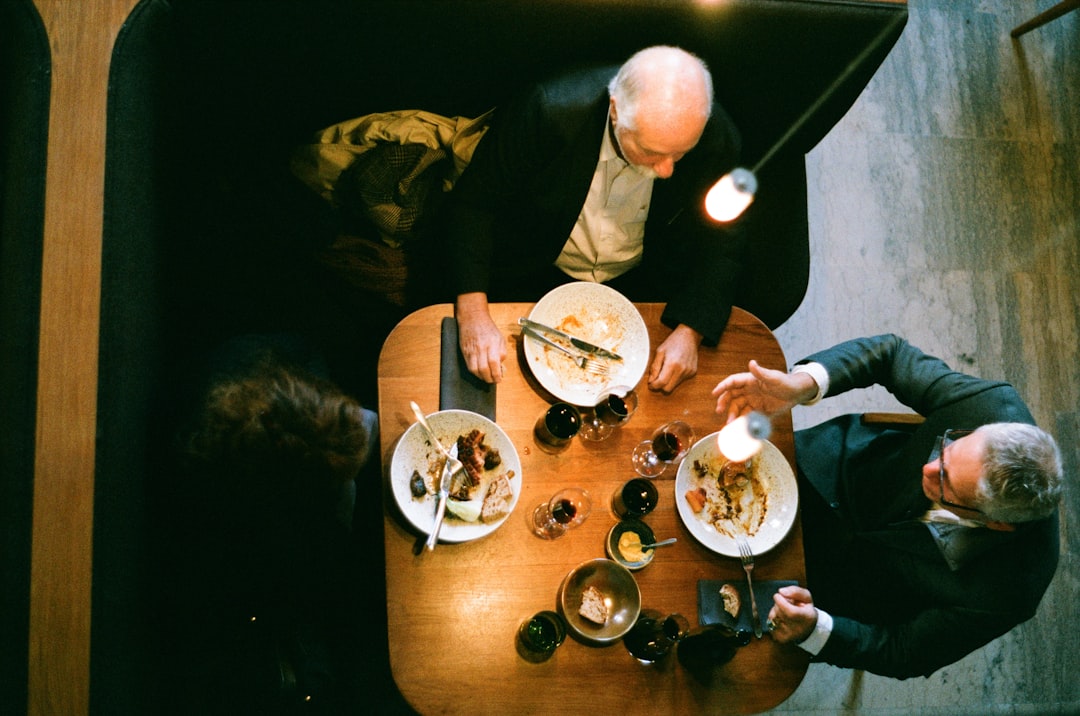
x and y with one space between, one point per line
280 438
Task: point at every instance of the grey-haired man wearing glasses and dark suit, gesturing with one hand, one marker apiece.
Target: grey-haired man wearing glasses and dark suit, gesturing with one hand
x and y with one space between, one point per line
923 544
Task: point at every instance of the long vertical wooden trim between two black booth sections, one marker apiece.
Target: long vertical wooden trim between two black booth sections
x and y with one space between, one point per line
82 35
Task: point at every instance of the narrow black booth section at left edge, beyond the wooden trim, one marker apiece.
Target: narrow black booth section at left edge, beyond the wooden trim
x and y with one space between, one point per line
24 130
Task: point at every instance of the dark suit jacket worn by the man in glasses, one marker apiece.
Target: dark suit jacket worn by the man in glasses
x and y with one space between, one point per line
908 600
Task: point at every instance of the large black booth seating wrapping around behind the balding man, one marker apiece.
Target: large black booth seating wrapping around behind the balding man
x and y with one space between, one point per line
209 236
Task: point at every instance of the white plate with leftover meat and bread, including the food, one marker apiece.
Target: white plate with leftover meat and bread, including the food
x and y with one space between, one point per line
481 499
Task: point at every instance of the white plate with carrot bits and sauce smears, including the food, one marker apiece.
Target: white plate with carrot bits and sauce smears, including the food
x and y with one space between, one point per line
719 499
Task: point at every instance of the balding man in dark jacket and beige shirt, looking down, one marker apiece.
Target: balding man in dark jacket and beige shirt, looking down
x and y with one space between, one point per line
601 175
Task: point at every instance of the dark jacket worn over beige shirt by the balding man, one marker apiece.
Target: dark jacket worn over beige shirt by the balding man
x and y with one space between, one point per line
512 211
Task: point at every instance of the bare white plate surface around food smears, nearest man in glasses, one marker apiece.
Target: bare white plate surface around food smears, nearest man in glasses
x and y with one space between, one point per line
777 483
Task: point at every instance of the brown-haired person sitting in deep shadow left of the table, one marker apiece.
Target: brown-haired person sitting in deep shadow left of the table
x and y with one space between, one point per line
262 505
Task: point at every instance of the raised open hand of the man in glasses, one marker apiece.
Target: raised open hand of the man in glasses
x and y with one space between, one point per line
764 390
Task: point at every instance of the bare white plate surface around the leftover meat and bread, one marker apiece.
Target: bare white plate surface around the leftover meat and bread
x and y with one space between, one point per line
416 452
